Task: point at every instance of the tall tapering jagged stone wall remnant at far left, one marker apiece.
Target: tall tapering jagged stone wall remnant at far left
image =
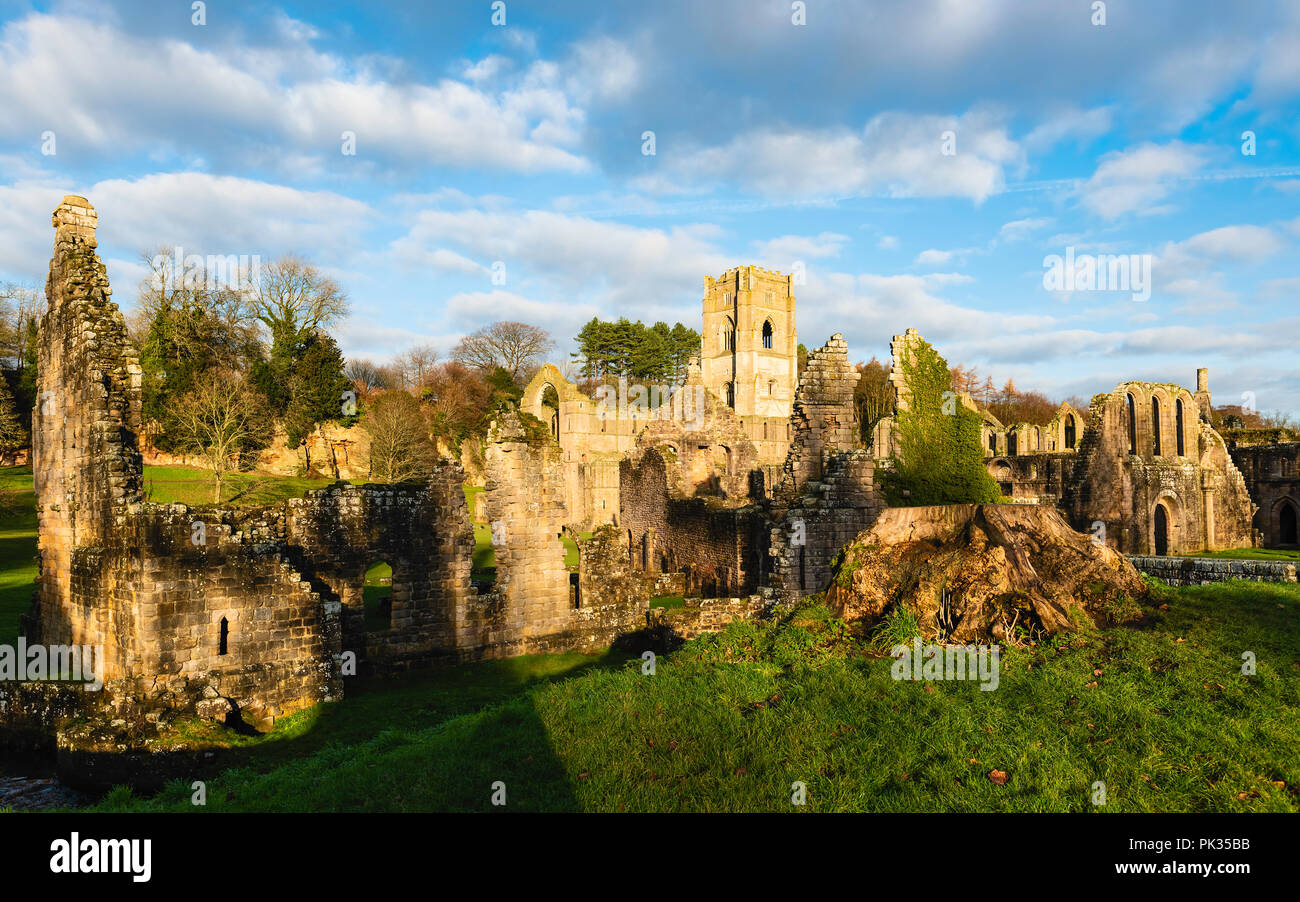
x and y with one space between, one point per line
85 453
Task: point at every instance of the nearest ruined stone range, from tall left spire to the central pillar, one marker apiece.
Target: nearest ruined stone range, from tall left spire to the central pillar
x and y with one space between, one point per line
258 613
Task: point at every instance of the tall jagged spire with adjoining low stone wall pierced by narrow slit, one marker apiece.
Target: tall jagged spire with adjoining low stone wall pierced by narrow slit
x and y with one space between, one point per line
197 615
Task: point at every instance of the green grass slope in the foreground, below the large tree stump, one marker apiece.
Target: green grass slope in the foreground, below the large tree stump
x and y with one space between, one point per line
1162 714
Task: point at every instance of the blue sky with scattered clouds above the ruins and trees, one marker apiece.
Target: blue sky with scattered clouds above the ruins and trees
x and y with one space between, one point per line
918 163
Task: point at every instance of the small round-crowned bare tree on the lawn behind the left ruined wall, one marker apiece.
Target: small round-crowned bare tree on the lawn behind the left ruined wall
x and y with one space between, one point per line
219 420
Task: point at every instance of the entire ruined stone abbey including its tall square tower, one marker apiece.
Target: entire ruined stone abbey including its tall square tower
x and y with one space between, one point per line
740 489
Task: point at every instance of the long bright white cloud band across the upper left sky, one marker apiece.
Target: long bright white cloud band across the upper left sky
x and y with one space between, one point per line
125 93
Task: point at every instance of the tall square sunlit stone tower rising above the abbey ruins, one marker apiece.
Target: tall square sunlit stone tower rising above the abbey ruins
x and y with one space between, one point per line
748 342
